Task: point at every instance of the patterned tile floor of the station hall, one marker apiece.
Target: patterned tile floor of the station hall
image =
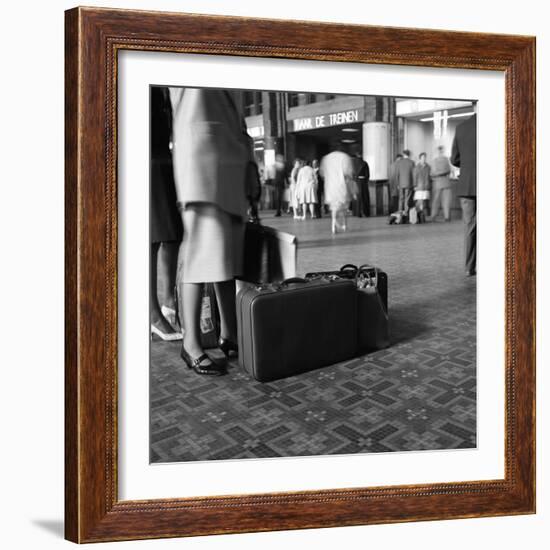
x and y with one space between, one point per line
419 394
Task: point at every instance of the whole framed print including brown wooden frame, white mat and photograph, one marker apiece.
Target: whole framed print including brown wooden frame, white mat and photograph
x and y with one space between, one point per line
300 275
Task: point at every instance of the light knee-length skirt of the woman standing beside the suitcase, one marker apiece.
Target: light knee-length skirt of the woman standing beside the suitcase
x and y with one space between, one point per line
213 244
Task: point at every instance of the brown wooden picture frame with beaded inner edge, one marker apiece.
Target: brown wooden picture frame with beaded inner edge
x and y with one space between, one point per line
94 37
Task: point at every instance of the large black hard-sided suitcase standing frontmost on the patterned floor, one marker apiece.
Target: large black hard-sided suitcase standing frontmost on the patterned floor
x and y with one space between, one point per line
295 327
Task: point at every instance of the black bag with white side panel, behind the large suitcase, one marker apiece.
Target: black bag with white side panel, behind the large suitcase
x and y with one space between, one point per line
269 254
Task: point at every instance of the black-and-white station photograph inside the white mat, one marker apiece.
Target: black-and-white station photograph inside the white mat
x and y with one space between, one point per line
312 274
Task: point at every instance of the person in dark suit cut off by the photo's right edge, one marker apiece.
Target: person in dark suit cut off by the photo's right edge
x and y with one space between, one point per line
464 156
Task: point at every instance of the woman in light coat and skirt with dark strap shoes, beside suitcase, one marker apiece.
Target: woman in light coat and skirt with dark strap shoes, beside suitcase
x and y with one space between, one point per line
216 180
